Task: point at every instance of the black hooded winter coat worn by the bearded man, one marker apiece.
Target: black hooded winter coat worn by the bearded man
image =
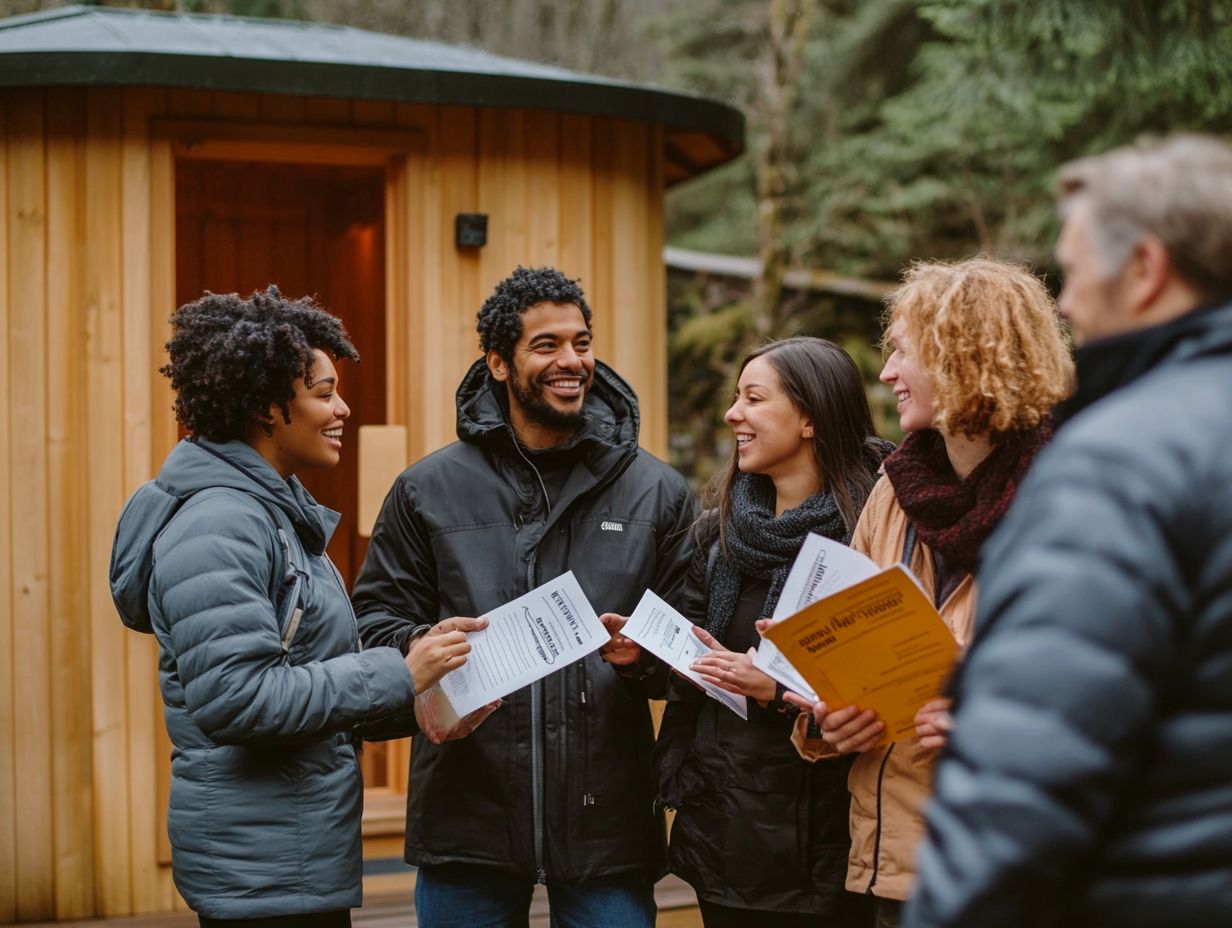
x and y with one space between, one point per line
557 783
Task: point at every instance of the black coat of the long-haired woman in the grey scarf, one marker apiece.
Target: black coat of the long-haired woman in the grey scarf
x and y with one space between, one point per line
757 826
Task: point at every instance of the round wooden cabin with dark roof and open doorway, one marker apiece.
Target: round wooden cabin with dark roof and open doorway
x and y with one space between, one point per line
147 157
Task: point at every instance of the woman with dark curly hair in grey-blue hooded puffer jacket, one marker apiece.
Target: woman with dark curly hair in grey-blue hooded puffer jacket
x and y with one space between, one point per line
264 680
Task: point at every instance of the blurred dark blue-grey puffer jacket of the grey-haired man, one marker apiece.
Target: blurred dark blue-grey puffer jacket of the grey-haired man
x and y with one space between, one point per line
1088 781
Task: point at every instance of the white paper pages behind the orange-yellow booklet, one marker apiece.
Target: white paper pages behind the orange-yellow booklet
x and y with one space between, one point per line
822 568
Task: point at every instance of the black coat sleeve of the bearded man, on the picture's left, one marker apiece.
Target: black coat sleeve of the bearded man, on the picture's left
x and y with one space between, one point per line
396 592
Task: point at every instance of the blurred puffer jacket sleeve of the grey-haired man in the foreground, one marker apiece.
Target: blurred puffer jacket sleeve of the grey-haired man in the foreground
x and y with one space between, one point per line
1081 595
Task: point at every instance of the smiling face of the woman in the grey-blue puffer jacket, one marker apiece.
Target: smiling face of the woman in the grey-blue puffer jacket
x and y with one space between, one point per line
314 438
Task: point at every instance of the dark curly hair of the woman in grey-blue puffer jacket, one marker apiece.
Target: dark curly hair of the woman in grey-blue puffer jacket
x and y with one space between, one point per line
233 359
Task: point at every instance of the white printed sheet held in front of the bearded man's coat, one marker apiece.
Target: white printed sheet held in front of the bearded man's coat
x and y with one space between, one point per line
528 639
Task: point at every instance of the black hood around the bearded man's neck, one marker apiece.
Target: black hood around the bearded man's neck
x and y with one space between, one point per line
612 416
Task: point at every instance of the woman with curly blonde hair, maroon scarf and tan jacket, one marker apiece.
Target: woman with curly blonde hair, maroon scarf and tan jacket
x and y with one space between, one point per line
978 362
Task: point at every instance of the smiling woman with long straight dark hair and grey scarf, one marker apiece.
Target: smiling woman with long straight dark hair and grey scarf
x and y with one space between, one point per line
761 834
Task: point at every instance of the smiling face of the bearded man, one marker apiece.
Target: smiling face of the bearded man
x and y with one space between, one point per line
551 370
